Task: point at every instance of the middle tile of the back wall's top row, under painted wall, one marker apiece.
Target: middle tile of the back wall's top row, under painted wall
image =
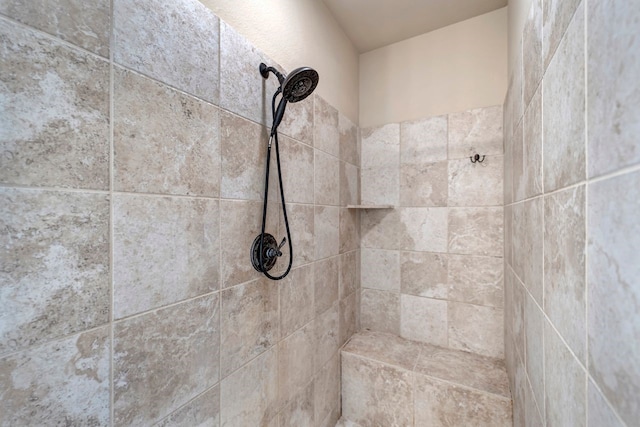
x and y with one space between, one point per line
423 141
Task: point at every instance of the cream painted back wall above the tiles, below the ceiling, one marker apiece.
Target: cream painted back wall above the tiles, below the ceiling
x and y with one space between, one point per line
456 68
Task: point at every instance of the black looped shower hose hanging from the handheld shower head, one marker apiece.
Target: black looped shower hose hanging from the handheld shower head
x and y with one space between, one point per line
274 136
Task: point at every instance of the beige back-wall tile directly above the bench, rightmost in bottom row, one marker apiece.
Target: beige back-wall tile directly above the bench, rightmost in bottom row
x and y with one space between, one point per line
476 329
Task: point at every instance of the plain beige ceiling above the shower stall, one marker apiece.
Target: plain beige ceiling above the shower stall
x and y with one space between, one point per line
371 24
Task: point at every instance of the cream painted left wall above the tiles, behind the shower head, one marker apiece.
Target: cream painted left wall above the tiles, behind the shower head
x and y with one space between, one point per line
300 32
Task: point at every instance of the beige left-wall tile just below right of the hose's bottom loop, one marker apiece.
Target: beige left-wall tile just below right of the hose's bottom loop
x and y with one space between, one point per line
296 300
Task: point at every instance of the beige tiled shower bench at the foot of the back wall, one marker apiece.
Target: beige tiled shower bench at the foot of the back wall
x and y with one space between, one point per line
389 381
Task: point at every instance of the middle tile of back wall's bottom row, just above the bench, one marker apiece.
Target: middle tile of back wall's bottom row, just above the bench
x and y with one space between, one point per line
423 319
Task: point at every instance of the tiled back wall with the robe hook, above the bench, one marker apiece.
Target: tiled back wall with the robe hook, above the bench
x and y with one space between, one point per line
432 266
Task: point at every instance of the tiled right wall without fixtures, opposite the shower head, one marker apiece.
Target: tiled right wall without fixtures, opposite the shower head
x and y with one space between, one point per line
572 195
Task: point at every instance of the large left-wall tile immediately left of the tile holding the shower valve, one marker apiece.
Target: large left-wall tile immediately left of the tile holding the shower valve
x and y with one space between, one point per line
164 250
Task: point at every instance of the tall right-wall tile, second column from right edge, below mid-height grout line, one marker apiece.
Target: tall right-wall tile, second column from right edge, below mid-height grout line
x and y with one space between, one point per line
564 266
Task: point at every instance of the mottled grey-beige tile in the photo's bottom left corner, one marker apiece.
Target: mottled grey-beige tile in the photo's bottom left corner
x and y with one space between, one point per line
64 382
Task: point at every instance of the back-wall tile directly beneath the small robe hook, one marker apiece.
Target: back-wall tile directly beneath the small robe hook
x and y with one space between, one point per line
476 184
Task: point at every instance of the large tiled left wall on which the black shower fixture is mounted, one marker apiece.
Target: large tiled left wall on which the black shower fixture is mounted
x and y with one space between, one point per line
132 150
